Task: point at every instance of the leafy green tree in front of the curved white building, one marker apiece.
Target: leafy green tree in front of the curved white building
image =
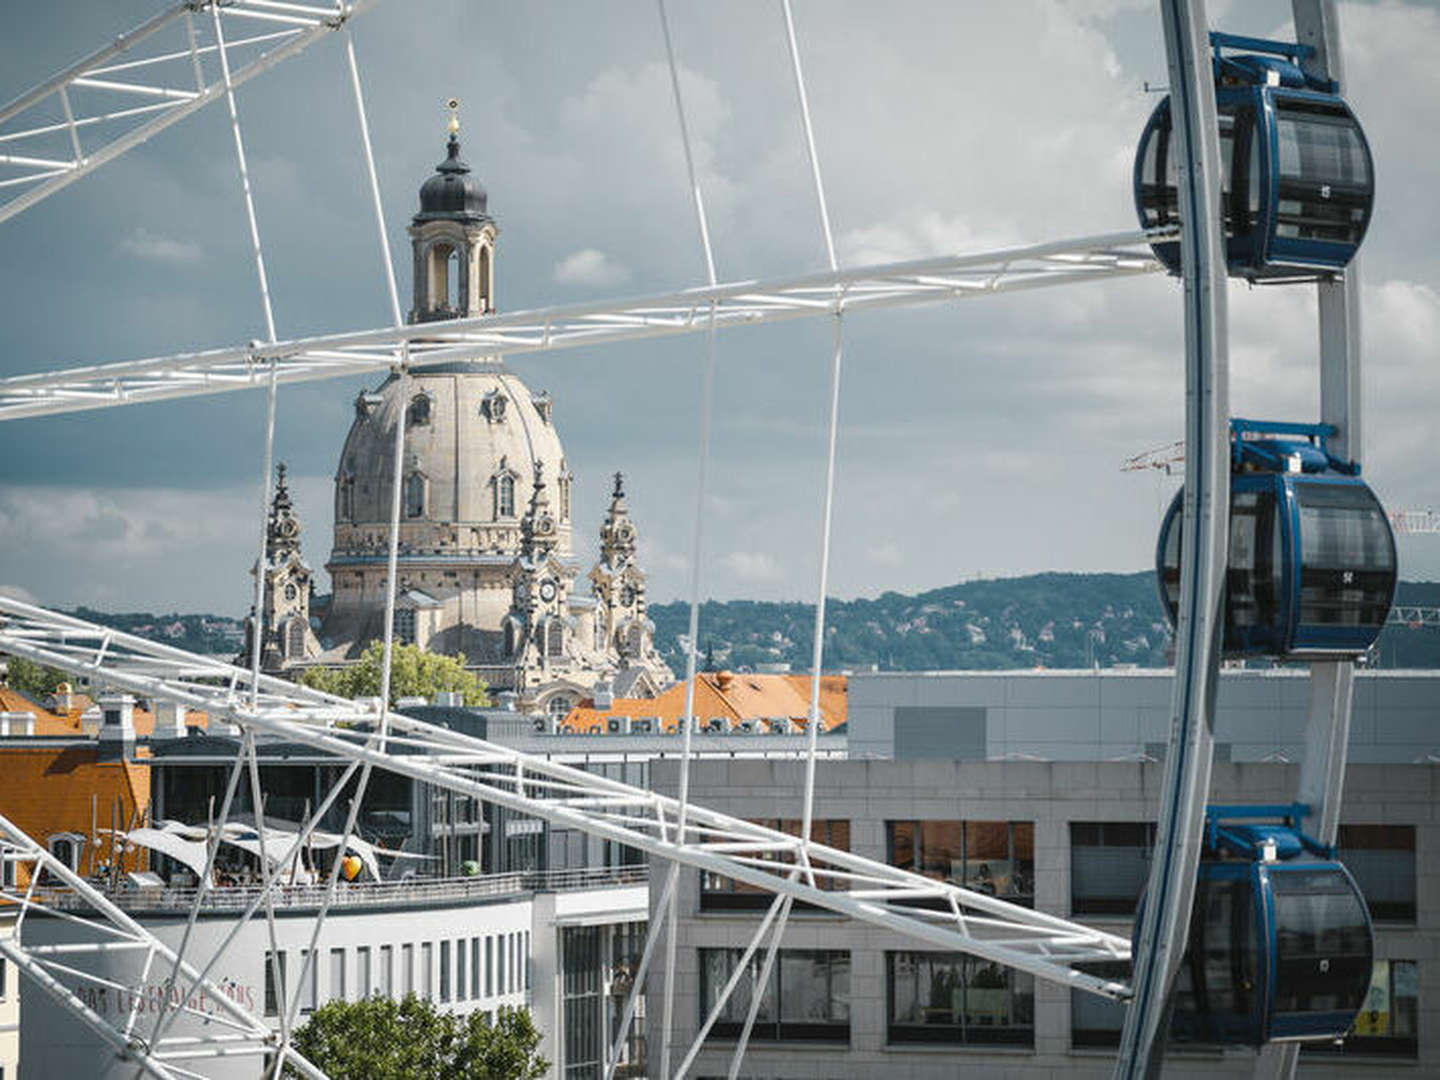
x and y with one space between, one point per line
379 1039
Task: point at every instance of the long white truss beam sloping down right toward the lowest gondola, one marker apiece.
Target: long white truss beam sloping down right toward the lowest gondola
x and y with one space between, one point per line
964 921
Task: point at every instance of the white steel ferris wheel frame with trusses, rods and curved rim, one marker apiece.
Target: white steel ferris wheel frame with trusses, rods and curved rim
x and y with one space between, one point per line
791 868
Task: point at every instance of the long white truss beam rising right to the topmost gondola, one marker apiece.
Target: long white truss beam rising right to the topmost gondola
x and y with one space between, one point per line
738 305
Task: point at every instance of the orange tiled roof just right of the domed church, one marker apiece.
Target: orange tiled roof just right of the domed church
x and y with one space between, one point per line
734 698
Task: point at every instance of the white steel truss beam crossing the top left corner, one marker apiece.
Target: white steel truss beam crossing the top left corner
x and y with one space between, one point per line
140 84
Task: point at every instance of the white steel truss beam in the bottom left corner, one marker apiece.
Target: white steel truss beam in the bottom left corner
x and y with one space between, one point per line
60 973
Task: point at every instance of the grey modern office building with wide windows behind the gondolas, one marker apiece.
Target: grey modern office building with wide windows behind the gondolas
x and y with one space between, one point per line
1043 788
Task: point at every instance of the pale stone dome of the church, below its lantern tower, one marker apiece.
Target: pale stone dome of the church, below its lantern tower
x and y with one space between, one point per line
474 436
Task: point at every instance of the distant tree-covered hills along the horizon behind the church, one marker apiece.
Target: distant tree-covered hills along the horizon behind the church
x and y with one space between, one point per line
1045 620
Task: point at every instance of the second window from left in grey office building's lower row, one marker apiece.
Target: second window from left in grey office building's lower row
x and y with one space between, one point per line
953 999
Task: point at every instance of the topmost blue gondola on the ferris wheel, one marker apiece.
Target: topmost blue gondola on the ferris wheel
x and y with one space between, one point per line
1297 169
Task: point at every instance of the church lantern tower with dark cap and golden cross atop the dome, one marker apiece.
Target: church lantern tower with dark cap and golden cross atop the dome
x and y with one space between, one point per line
454 243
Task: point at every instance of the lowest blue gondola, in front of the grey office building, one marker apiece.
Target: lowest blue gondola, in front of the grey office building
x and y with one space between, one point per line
1281 942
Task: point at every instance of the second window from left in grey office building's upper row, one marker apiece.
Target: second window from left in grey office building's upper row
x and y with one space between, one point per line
994 858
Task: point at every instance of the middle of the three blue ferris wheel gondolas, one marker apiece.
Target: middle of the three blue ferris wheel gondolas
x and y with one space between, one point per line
1313 557
